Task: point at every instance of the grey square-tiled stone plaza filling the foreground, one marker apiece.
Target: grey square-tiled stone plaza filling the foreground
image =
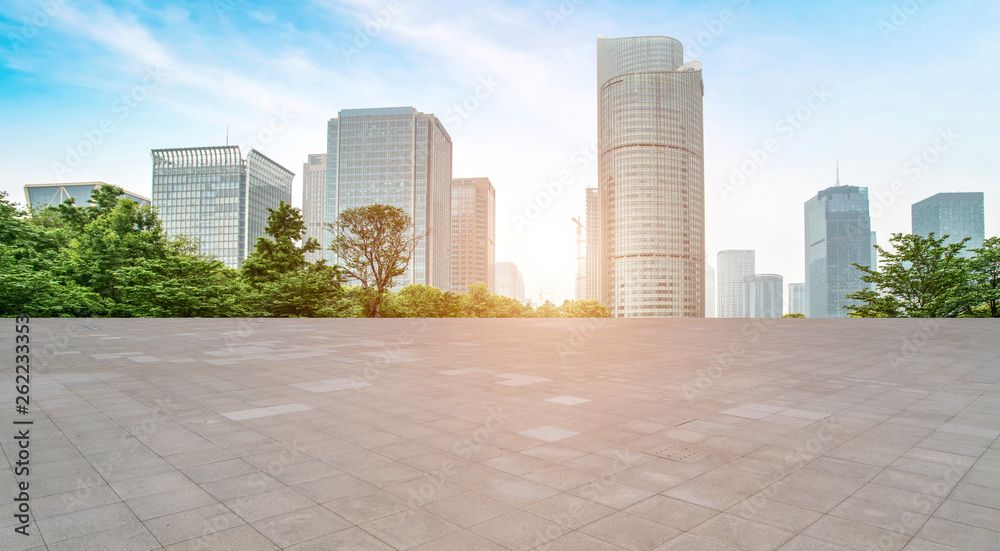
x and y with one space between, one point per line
482 435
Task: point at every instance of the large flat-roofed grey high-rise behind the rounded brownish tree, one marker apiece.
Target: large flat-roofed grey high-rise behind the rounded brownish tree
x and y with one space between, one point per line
401 157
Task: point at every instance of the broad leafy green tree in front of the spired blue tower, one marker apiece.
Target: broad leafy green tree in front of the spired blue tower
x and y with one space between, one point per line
923 277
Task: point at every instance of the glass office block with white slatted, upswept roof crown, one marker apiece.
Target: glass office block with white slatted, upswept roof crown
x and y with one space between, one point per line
218 197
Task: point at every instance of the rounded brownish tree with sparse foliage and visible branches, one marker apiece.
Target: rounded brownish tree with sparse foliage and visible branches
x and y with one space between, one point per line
374 245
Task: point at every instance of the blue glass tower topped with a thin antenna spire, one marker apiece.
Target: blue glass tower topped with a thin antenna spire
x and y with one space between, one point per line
837 235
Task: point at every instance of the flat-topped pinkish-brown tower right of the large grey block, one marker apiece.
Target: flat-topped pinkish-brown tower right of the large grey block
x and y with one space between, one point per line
473 233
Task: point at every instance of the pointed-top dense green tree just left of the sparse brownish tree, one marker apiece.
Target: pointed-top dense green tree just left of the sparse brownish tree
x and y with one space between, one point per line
284 283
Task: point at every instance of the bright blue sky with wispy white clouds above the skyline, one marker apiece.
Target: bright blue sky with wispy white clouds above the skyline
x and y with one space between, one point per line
902 94
